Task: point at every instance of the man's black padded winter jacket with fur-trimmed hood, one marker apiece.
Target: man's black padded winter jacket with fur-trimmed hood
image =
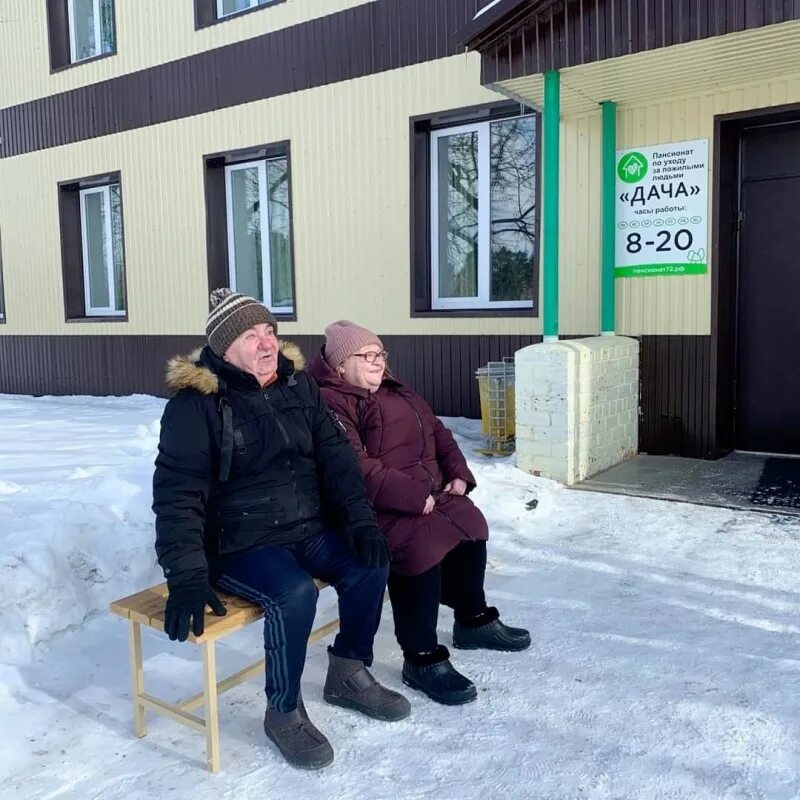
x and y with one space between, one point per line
281 472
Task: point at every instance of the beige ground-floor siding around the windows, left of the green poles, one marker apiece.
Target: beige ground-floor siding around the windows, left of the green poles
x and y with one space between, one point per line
351 188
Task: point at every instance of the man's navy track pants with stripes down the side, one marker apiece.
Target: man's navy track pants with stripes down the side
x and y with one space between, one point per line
280 580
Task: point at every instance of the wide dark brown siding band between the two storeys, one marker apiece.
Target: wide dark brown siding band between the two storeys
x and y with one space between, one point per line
365 39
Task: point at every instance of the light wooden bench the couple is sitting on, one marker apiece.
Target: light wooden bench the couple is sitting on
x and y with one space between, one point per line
147 608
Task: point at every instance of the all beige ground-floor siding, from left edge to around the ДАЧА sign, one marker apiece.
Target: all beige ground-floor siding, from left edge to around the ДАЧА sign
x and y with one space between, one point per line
350 182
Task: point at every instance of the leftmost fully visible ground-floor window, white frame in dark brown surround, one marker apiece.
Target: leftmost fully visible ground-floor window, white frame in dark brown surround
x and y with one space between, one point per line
73 266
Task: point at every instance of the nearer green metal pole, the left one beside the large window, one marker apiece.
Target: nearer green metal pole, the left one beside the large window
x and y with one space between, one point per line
552 115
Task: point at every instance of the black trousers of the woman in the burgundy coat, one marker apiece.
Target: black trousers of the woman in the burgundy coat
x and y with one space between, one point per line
456 581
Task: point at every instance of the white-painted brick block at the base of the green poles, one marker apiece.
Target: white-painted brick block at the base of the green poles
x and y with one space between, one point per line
577 406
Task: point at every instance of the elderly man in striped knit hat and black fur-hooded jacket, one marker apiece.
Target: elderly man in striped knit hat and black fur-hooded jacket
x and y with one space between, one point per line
257 491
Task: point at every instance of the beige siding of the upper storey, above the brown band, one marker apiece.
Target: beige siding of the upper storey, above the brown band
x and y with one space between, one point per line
149 32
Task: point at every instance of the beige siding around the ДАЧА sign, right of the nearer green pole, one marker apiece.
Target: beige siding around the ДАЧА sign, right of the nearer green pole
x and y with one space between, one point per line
674 305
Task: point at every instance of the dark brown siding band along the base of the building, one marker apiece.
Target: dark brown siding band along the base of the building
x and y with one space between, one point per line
676 392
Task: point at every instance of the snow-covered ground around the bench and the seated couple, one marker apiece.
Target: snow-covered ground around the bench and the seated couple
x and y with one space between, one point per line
665 663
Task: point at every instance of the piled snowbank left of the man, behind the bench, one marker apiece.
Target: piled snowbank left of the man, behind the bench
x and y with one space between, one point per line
75 520
